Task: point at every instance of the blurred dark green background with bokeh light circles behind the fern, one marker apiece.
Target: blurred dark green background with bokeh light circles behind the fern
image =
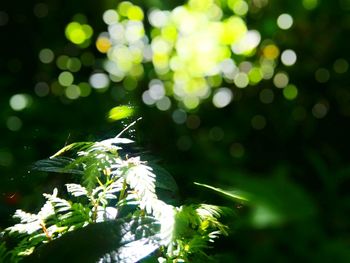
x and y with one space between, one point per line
250 97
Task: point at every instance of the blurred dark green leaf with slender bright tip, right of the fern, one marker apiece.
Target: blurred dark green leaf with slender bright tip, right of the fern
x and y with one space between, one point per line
273 201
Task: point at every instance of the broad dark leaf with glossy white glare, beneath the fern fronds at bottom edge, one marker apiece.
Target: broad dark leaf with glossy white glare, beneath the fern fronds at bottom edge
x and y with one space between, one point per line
124 241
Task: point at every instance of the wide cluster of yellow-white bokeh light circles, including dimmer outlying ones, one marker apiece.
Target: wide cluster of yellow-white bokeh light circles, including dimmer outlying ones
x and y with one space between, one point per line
195 51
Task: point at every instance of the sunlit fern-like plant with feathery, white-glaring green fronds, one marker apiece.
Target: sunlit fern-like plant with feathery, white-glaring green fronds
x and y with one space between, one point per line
112 188
